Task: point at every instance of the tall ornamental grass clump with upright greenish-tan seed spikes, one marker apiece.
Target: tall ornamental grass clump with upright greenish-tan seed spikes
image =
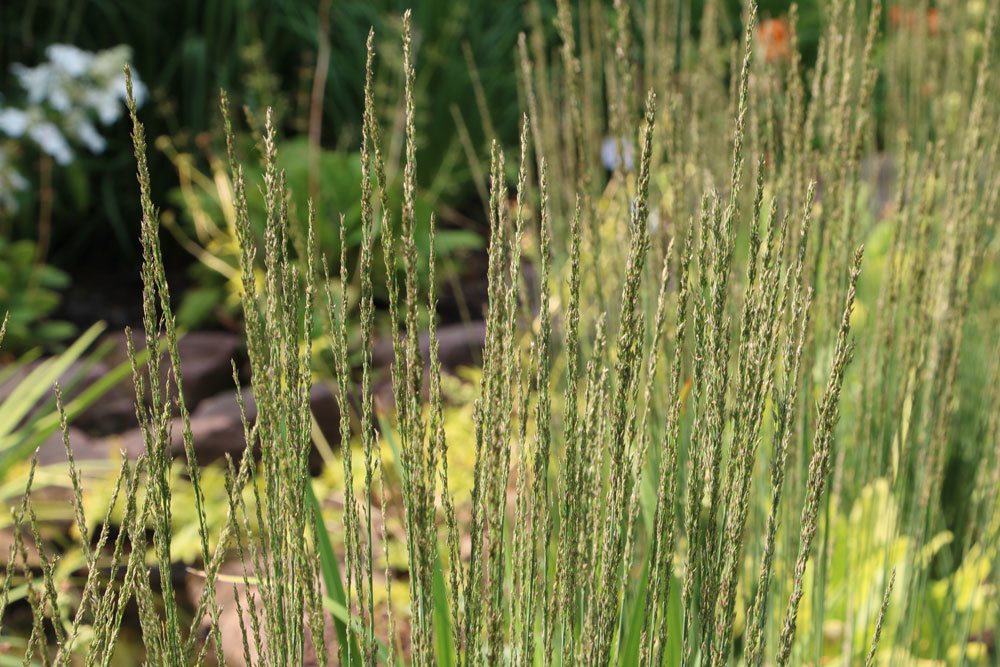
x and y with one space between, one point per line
699 442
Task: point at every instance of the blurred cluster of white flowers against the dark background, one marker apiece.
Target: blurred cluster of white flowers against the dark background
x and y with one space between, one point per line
66 98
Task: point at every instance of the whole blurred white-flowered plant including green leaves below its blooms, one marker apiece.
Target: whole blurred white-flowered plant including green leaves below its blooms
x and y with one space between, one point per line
57 112
